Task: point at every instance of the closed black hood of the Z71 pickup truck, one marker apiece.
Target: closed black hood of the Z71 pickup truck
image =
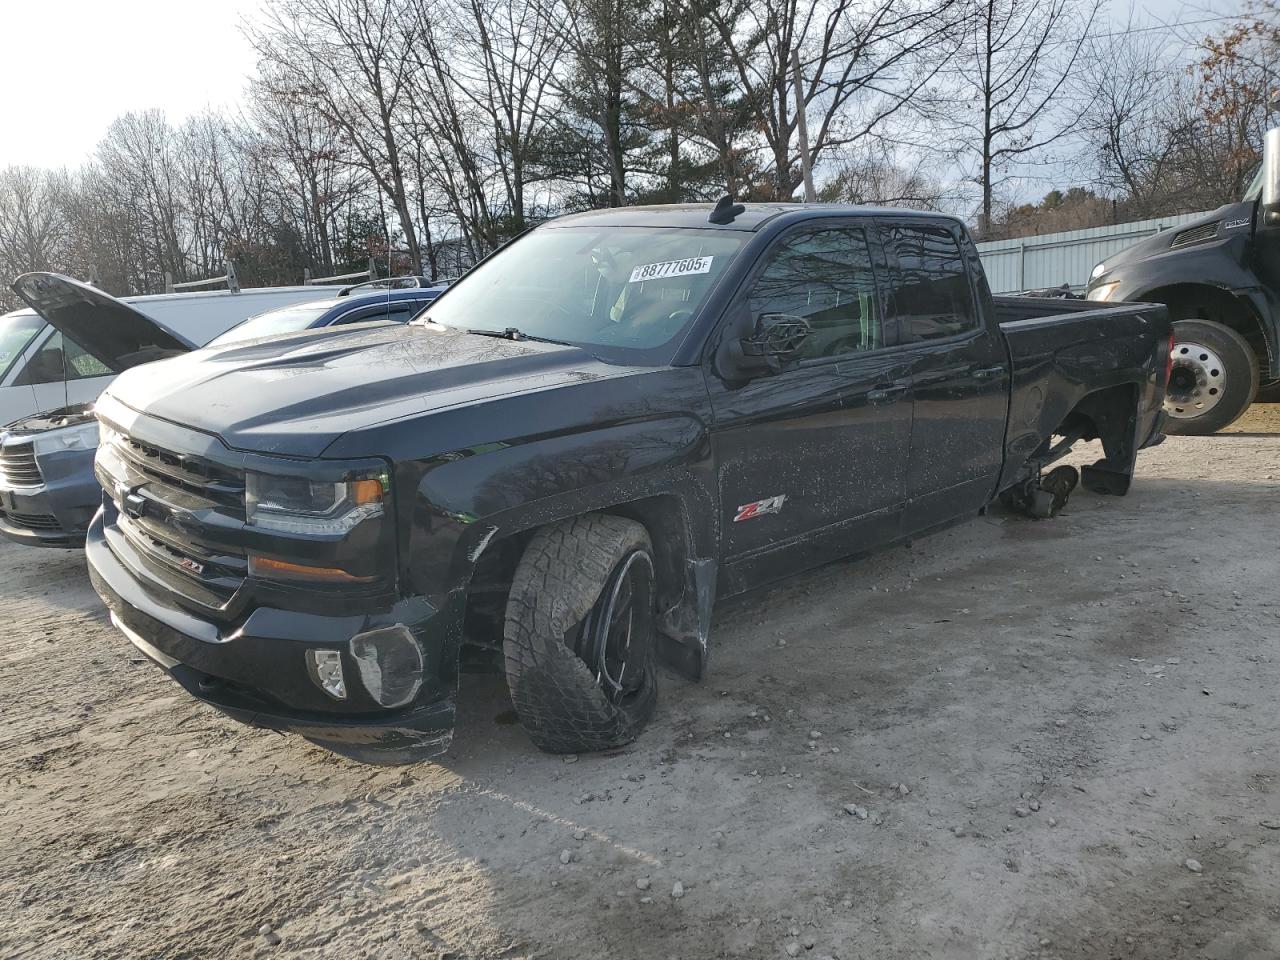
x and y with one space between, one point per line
295 396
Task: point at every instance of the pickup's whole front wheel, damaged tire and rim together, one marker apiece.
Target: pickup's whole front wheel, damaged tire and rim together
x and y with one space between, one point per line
579 634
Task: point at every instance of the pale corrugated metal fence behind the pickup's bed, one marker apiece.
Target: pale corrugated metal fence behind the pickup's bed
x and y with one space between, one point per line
1054 259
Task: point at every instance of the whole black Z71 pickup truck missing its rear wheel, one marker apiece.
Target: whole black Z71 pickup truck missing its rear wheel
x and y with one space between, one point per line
598 432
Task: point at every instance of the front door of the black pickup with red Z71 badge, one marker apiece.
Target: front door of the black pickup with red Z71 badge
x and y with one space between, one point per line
812 461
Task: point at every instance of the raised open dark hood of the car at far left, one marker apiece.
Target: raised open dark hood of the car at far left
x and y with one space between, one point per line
109 331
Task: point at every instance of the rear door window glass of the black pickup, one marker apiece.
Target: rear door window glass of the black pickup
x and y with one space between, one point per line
931 290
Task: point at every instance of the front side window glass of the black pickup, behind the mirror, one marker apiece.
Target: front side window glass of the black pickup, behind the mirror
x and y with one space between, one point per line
824 277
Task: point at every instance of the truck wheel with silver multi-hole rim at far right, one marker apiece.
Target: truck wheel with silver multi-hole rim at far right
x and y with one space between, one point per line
1214 378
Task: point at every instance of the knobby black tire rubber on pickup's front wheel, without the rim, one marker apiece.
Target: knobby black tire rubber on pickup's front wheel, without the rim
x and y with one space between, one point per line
559 582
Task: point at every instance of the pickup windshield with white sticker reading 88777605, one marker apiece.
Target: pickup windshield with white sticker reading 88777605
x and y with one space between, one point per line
628 289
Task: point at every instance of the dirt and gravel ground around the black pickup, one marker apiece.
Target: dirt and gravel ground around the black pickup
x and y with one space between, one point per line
1082 711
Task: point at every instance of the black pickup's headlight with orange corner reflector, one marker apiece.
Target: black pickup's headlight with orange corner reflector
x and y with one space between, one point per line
301 506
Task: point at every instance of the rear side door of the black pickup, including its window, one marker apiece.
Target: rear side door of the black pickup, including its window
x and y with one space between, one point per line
959 371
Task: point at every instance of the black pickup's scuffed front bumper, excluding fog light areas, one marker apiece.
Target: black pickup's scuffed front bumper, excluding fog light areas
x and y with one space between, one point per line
255 671
